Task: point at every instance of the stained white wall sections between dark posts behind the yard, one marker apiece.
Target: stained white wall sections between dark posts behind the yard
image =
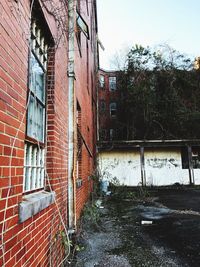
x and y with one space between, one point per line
162 167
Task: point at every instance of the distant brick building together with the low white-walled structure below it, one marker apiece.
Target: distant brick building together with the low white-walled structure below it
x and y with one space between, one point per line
139 162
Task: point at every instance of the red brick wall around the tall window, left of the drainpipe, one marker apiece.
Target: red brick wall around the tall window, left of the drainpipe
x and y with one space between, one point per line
37 241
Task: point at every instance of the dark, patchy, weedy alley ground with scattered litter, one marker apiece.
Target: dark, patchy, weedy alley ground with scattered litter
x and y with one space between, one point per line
160 227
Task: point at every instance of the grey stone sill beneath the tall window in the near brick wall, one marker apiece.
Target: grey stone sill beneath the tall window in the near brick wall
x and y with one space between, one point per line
34 203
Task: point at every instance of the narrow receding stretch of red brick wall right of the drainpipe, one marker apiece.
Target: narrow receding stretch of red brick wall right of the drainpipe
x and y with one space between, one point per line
85 88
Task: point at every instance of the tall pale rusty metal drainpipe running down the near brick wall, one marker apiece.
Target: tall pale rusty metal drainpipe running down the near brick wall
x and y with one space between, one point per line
71 79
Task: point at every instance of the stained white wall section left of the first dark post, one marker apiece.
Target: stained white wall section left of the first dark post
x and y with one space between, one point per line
125 166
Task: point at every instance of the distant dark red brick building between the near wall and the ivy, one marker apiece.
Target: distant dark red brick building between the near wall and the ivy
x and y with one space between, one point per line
108 96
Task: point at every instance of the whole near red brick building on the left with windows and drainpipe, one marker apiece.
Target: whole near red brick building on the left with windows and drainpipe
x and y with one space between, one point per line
48 67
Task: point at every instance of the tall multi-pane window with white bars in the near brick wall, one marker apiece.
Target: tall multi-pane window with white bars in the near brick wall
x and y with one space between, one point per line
36 113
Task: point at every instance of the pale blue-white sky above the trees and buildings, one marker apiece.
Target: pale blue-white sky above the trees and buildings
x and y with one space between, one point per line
124 23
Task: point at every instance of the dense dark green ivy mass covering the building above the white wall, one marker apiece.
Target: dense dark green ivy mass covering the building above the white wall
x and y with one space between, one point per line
159 95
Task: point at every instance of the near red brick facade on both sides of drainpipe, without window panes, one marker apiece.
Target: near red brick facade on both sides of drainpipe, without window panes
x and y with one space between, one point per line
38 240
